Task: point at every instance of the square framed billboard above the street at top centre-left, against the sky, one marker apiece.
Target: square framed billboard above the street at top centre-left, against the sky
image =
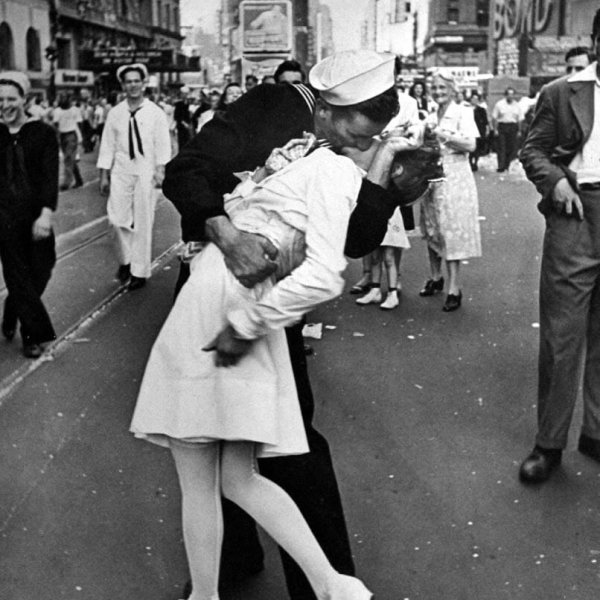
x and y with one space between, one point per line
266 26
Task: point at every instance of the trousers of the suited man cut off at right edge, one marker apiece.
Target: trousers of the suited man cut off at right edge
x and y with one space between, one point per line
570 324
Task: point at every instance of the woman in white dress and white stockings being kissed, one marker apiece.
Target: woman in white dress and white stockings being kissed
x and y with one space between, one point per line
219 413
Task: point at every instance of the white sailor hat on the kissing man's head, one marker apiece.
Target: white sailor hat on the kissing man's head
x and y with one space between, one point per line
353 76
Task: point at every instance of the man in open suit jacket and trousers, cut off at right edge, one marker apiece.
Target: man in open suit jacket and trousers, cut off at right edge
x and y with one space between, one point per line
561 157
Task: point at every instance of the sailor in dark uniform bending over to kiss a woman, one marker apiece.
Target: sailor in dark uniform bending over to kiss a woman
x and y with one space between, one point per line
262 119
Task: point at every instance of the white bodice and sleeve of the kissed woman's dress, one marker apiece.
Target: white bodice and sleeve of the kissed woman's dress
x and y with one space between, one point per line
315 194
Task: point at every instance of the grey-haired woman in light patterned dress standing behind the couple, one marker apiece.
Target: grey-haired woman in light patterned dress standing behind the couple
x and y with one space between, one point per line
450 209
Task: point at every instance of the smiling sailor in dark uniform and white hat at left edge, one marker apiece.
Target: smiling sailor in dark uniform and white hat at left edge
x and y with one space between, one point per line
29 184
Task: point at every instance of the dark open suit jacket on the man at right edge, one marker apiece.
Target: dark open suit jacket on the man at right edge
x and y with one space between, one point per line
562 123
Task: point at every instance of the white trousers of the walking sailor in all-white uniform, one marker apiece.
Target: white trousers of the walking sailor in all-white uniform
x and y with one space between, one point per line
130 210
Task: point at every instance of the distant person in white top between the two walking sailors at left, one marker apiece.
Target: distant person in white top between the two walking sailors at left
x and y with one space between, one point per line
67 118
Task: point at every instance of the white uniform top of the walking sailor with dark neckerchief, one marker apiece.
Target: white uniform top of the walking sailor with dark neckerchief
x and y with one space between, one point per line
154 132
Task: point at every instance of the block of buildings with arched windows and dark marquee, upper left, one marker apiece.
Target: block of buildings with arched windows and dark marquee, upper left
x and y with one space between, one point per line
72 45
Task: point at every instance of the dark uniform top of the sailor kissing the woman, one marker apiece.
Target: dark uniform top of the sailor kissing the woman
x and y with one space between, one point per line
241 139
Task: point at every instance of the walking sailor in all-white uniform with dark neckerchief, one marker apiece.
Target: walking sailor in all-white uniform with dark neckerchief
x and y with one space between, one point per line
135 147
